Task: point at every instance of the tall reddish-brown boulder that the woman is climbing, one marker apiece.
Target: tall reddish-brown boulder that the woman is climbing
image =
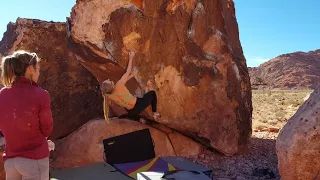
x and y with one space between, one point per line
189 51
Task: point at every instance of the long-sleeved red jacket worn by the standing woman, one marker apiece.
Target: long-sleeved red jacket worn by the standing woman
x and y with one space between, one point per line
25 120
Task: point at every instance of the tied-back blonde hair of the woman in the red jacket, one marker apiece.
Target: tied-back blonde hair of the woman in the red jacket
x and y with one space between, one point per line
15 66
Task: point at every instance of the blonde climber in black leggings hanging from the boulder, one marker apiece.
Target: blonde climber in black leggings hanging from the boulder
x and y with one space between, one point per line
120 94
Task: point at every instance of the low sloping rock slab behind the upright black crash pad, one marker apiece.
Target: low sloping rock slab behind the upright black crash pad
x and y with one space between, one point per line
85 146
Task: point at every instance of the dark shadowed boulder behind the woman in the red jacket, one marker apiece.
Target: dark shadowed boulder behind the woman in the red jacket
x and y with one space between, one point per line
74 91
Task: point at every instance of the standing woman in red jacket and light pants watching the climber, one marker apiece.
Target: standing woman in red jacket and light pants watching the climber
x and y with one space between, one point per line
26 119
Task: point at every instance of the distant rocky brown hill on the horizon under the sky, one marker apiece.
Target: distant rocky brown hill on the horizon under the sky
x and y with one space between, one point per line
297 70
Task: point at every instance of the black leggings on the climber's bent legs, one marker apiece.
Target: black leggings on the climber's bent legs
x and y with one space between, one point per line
150 98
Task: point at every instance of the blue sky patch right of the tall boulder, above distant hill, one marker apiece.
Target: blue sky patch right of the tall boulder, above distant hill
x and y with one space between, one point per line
269 28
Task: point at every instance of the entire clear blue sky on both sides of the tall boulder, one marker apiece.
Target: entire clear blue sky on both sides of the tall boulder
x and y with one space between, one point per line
267 28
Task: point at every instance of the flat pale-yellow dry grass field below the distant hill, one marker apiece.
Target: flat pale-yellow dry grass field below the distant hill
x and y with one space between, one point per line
274 108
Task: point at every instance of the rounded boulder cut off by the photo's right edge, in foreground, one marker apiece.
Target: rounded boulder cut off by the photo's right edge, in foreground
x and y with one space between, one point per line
298 144
